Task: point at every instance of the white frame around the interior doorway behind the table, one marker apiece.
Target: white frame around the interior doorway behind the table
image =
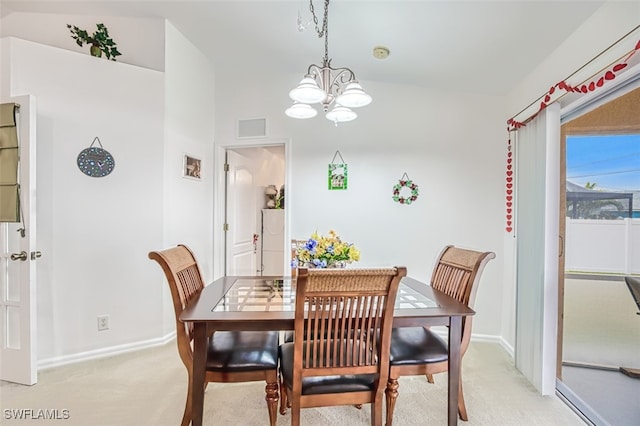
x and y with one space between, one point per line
219 213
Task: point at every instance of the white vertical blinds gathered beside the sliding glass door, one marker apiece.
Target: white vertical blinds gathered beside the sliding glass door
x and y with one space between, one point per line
536 231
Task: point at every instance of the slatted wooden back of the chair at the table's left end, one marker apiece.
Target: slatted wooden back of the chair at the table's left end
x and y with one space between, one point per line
185 282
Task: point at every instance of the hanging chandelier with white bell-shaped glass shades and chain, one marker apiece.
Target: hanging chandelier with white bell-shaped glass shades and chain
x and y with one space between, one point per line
327 85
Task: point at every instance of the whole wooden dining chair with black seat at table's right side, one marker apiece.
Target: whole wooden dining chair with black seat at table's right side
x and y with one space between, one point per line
418 350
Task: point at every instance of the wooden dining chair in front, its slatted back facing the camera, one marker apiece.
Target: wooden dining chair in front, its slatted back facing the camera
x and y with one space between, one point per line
335 357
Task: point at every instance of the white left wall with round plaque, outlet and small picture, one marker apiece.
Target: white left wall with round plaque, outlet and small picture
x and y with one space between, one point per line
95 233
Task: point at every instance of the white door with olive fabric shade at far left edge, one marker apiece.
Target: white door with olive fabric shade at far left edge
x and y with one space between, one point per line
18 353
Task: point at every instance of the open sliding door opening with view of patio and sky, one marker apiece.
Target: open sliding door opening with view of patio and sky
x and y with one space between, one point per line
595 331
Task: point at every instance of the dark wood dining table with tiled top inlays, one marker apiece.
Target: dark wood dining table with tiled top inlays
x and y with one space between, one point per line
268 303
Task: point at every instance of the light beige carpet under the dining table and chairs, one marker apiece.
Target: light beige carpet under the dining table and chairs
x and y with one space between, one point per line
148 387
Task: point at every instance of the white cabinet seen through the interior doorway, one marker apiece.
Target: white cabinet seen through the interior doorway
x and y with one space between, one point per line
272 241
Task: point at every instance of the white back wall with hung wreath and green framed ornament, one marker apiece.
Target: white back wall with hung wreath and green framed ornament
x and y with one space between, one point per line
450 144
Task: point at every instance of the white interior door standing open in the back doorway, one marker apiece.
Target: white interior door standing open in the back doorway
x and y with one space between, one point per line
241 238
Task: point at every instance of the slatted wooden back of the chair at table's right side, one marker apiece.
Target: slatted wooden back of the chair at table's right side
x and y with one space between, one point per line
457 273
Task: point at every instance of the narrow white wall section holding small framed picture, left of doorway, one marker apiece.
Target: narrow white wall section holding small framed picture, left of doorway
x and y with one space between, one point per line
188 129
